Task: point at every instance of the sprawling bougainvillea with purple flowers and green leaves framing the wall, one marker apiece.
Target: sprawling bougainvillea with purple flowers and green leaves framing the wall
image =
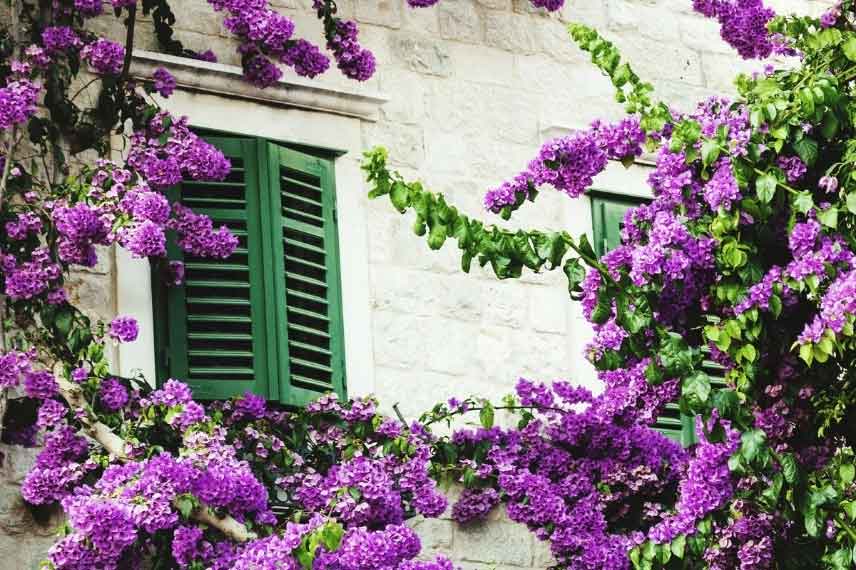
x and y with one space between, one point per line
746 254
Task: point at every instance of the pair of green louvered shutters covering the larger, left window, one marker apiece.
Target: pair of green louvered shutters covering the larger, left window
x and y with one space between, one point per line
267 319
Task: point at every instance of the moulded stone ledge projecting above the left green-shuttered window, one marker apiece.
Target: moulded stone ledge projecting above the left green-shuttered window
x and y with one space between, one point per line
226 80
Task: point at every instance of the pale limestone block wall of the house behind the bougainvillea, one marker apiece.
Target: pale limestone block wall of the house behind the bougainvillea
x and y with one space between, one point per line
464 95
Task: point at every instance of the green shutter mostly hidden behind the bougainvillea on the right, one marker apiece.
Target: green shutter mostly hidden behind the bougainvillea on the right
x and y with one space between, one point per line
607 218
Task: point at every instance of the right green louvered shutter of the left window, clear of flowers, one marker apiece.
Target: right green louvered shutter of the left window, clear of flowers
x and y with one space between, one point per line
306 279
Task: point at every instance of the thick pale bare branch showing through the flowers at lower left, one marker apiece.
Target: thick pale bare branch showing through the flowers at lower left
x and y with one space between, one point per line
115 445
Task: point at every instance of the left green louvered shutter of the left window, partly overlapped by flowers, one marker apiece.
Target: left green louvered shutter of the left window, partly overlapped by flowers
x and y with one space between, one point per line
215 338
